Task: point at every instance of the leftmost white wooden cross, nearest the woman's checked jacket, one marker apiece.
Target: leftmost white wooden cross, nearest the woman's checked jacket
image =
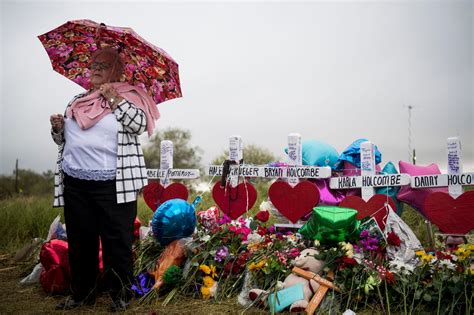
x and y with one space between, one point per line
166 170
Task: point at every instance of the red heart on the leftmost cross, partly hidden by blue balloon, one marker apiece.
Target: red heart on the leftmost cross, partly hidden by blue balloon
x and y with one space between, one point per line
155 194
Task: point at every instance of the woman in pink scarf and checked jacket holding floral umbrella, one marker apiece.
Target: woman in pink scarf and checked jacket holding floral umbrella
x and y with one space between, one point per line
100 170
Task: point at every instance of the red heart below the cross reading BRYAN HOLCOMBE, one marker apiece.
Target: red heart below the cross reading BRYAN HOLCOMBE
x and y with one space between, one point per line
294 202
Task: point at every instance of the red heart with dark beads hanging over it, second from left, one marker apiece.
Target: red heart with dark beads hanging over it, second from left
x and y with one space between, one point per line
233 201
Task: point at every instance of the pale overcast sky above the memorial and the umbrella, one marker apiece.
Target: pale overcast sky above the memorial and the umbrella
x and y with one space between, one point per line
331 71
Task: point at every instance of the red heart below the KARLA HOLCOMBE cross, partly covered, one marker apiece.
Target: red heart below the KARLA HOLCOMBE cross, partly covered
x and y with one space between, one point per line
370 208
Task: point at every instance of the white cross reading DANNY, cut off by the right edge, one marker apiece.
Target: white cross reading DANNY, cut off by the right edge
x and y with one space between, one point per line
455 178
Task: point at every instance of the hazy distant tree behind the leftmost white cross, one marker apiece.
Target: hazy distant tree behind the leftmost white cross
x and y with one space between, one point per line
184 155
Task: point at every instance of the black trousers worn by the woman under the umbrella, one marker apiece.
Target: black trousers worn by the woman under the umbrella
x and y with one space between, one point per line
91 212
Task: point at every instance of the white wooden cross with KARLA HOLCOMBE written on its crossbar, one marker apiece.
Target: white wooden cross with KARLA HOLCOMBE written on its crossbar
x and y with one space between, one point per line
368 181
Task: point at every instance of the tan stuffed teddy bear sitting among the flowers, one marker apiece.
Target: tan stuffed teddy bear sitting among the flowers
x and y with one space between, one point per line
305 261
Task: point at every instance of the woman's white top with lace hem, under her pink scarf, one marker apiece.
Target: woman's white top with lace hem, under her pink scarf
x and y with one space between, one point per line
91 154
